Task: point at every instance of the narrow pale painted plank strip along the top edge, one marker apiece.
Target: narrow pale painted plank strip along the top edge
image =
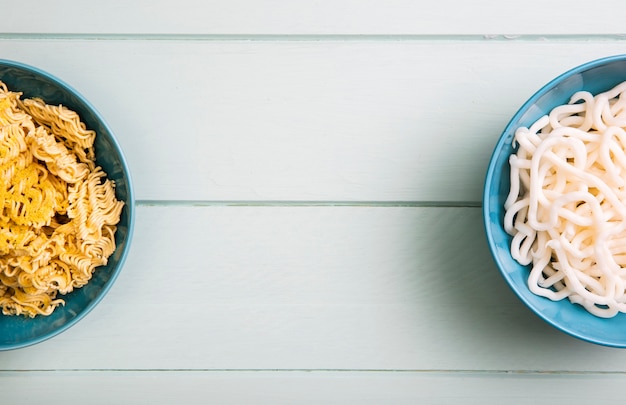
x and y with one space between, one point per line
321 17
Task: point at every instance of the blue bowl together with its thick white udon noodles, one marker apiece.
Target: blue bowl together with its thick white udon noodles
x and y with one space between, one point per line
554 202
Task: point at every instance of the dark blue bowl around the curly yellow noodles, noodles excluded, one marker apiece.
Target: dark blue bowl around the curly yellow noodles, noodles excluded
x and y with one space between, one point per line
19 331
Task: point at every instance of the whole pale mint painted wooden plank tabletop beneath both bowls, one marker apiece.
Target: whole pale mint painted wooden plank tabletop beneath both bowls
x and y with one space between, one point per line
309 177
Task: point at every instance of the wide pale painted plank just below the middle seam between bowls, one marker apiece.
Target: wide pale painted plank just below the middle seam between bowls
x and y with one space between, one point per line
369 288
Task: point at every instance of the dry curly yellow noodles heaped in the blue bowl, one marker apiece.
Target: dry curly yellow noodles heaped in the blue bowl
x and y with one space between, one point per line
59 212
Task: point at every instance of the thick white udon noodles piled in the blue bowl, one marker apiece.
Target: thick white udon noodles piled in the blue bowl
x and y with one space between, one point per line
566 209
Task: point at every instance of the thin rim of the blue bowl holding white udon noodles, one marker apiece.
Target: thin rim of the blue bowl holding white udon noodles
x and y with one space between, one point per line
487 191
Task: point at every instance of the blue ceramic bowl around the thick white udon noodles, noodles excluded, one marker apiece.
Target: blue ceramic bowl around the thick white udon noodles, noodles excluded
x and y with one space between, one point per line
596 76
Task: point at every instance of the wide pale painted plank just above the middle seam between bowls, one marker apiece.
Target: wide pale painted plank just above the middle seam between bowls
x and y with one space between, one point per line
329 120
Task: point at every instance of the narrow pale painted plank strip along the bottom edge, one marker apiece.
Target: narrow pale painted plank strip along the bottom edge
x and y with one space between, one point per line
305 387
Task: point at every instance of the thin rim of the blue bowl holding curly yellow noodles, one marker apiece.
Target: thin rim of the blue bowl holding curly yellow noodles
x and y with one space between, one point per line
129 203
